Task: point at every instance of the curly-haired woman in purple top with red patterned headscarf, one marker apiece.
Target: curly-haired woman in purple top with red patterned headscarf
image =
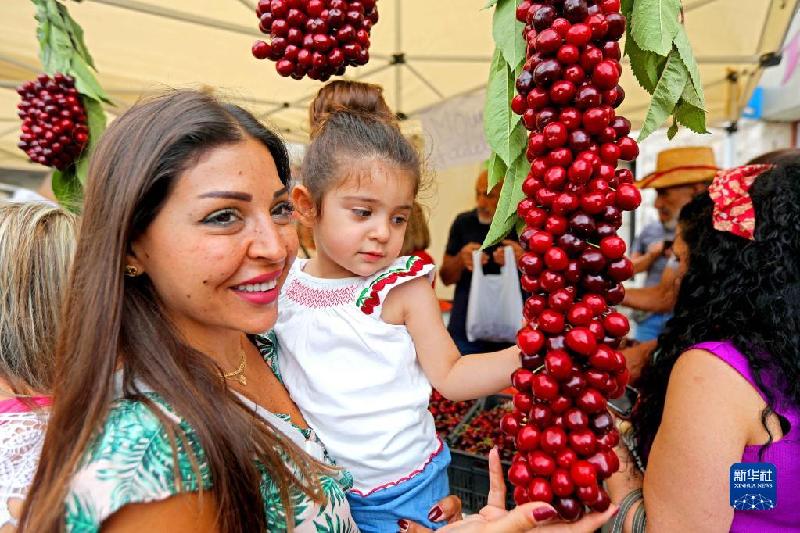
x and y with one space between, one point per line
724 384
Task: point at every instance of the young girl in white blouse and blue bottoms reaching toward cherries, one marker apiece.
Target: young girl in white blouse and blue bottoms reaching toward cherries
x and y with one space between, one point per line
360 335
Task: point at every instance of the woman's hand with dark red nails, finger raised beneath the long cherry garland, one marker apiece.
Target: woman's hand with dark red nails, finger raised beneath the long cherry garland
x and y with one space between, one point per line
495 519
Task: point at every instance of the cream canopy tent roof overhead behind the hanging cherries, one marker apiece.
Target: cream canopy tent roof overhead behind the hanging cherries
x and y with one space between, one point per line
424 53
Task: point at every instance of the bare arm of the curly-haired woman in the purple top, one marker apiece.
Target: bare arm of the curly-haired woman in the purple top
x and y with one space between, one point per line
709 416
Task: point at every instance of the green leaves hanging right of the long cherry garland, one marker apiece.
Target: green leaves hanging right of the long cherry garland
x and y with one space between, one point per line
663 63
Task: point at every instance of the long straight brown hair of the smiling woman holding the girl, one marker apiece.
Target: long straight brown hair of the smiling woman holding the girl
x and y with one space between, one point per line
110 320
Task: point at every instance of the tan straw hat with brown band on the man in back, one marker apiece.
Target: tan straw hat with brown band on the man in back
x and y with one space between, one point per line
681 166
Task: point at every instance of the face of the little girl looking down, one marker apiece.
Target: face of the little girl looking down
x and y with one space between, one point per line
362 222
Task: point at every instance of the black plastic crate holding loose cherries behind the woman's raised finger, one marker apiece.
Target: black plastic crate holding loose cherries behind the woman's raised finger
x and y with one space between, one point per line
468 472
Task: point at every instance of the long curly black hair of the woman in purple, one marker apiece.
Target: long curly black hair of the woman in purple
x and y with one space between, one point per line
736 289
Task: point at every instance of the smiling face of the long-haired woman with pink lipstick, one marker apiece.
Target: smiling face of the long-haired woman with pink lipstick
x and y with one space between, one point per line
222 244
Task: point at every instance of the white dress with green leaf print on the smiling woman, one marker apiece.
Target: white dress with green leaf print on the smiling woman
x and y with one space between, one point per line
131 461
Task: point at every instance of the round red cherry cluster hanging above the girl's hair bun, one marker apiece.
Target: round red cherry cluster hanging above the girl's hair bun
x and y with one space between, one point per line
315 38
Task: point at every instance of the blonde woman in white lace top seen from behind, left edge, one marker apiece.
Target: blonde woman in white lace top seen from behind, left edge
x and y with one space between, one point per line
37 241
